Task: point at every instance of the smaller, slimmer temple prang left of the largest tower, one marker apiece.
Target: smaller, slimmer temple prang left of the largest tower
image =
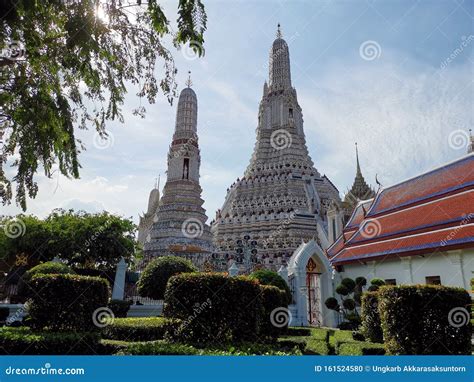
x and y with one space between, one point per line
179 225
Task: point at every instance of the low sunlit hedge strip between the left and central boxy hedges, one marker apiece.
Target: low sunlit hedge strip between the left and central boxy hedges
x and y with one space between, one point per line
138 329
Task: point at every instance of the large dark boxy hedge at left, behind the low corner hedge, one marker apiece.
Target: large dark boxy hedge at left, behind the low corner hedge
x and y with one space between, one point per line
67 302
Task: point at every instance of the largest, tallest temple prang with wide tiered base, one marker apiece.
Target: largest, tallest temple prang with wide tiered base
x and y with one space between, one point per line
281 201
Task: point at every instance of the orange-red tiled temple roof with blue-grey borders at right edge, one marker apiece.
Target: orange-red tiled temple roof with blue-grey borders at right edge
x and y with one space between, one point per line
432 211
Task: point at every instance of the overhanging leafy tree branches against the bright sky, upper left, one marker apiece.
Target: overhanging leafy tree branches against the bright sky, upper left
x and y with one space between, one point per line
74 73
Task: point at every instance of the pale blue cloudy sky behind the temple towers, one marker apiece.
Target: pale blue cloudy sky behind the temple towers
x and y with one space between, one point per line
394 76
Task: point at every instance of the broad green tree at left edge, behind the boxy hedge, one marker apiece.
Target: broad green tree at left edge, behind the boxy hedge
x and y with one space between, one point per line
80 239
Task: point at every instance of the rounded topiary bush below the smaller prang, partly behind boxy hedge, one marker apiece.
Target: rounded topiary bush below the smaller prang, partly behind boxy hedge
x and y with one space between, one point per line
153 280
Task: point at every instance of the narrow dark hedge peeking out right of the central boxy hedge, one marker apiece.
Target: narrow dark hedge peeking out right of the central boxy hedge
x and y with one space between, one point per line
275 317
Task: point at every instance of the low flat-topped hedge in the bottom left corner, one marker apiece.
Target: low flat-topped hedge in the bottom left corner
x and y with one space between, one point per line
23 341
